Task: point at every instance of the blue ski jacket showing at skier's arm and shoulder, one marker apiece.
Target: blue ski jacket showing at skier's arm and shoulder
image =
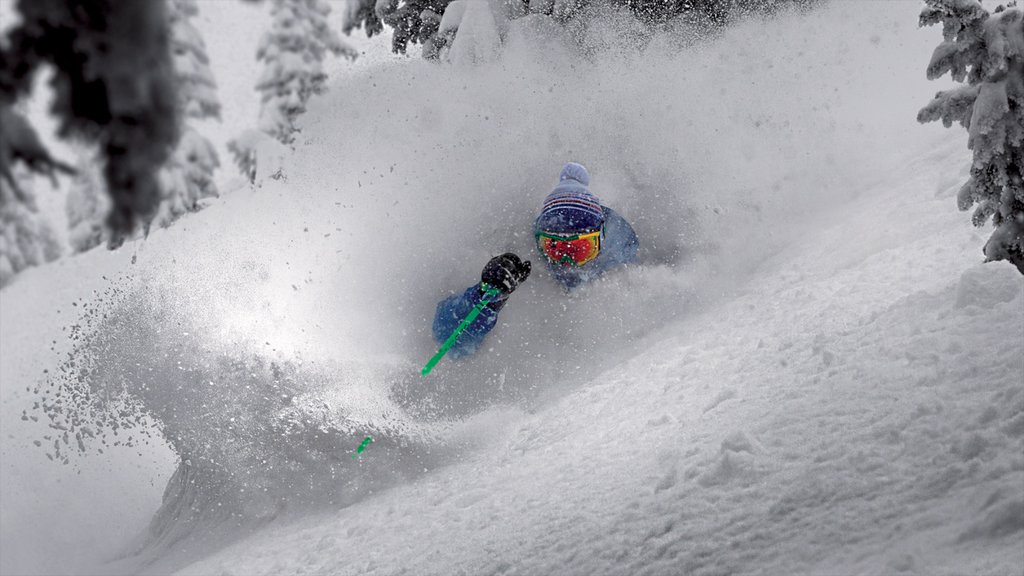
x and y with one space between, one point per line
619 248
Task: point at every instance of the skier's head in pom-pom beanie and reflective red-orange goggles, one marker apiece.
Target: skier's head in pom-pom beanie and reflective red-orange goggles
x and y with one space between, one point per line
570 226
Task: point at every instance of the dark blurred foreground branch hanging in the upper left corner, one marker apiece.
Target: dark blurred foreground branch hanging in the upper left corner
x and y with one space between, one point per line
113 85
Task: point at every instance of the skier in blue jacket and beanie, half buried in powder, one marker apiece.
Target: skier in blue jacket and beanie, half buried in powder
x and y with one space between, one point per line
580 240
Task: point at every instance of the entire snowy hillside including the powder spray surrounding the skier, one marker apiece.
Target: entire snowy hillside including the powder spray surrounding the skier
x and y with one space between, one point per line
813 373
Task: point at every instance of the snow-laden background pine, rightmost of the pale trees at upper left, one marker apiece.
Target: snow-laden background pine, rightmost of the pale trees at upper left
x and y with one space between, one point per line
293 52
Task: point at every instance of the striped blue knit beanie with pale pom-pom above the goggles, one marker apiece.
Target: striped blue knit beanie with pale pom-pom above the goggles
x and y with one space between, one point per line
571 208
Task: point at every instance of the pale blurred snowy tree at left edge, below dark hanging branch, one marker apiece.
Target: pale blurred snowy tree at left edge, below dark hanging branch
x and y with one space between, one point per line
26 239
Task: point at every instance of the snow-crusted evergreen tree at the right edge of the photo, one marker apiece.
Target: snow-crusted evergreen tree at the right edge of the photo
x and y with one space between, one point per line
987 51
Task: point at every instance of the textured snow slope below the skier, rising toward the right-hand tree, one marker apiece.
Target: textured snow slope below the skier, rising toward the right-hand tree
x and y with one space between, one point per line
861 415
